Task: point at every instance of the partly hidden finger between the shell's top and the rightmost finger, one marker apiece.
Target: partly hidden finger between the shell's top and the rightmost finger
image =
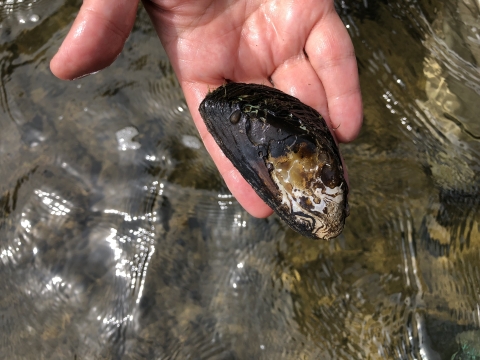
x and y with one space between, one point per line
297 77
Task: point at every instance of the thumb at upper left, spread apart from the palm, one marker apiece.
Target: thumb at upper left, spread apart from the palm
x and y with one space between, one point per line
96 38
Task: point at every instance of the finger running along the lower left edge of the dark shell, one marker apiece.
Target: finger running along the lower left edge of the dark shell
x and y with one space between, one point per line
241 190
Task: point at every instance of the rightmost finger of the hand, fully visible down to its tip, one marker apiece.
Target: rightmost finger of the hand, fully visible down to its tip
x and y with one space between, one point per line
331 53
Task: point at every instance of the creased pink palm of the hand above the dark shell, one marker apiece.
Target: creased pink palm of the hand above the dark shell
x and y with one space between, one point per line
248 43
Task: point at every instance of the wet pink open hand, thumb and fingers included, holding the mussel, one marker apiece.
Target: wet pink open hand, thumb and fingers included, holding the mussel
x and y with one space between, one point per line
300 47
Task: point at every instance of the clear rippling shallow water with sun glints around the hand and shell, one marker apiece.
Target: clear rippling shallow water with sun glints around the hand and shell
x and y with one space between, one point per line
118 238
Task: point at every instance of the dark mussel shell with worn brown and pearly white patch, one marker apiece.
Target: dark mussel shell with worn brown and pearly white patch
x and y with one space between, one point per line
284 149
